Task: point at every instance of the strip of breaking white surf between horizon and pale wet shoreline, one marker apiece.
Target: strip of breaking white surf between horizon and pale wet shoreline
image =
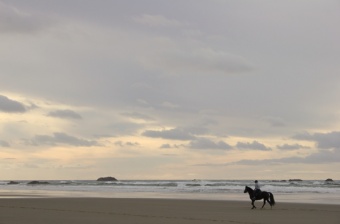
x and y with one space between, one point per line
188 186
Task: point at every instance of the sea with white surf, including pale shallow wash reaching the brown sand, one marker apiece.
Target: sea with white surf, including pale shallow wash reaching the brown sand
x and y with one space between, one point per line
305 191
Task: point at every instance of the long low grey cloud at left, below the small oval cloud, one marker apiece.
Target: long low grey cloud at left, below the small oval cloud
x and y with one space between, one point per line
59 138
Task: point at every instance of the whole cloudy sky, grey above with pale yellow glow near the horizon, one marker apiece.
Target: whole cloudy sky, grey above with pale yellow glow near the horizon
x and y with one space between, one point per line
182 89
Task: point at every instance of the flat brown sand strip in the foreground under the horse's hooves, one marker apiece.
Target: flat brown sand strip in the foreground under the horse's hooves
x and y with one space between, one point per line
160 211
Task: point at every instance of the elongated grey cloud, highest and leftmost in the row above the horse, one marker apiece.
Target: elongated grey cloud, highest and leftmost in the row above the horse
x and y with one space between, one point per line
173 134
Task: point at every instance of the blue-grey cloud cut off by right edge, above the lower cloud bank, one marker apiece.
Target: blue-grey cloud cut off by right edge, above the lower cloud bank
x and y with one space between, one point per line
328 140
